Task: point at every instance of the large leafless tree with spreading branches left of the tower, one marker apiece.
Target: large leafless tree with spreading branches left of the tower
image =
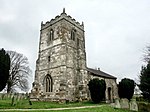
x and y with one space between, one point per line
19 72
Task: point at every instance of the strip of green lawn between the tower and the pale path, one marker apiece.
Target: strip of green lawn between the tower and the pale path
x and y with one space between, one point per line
4 104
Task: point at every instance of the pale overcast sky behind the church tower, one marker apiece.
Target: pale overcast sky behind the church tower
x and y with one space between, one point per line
116 31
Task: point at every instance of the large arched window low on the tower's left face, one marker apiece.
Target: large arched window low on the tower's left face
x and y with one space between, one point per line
48 83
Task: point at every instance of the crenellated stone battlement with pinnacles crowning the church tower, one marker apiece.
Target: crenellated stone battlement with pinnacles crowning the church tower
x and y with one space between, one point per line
63 15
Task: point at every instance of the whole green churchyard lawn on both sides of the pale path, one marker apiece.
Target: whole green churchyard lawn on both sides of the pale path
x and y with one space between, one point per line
24 104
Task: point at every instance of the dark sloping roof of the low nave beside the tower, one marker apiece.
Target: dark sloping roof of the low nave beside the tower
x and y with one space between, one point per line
100 73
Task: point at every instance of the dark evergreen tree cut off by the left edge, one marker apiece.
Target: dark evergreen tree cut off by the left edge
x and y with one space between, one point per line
4 68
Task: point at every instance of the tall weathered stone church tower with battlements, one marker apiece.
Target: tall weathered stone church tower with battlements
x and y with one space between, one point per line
61 65
